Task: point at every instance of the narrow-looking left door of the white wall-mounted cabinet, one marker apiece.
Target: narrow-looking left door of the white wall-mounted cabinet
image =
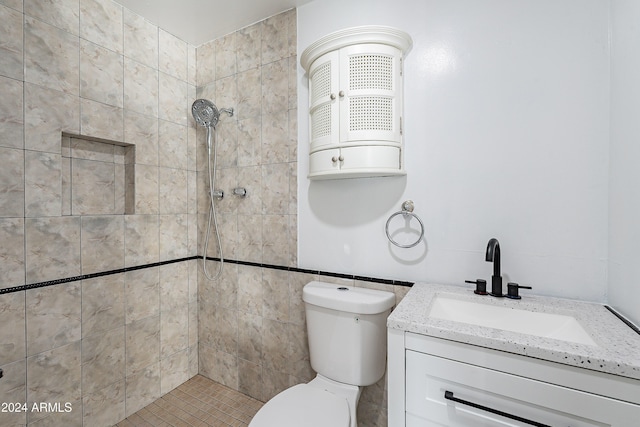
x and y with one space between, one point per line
323 101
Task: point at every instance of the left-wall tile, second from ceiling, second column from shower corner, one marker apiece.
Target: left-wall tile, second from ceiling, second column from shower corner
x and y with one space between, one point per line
140 88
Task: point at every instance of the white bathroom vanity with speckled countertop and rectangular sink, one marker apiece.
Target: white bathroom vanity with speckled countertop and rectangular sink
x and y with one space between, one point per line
464 360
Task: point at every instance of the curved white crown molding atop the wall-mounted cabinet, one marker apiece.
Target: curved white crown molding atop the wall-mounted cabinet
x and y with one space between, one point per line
357 35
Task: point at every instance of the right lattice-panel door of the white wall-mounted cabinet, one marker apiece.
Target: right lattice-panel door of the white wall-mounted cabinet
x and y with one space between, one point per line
370 94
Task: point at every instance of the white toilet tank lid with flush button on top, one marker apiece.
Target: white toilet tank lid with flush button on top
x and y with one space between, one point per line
347 298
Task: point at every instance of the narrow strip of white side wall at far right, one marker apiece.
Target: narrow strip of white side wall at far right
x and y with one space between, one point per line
624 197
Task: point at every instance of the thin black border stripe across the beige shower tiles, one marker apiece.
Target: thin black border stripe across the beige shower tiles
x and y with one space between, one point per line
229 261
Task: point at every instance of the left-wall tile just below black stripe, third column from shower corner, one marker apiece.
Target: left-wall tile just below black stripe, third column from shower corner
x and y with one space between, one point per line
103 304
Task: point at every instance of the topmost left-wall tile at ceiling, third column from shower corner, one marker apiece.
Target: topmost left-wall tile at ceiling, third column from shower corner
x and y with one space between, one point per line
102 22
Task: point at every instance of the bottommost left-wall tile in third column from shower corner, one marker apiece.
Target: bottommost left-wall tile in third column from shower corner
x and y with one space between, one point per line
104 407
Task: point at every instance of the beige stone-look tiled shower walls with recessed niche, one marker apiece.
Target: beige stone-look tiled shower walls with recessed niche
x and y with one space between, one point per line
103 202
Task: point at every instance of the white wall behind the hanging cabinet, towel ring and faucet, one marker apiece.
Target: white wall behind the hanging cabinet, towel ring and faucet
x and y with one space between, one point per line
507 130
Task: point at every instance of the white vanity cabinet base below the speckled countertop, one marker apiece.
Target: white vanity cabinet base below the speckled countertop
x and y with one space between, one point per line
437 382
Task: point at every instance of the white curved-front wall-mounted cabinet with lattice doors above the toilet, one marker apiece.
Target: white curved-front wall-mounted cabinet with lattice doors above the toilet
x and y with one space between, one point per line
355 103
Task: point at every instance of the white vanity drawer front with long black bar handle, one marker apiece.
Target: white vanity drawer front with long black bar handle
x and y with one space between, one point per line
428 377
